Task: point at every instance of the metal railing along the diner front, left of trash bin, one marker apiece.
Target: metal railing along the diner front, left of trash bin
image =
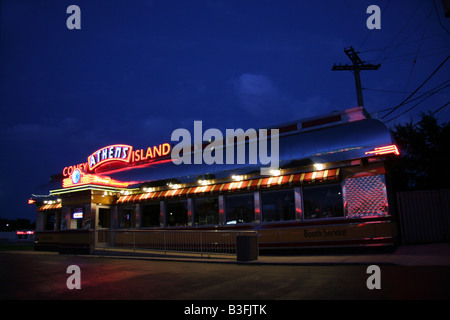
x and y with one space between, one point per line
202 242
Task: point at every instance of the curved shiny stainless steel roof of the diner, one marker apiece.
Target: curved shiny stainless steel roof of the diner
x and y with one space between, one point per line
330 144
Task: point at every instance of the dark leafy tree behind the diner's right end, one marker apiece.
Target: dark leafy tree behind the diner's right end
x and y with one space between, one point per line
422 164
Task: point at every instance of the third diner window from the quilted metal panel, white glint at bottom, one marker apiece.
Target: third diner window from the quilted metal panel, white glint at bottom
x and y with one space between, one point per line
240 208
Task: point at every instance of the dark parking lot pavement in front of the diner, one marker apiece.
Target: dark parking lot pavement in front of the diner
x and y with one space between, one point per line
419 272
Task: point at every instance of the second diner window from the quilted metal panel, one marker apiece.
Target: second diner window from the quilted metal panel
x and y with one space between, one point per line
278 205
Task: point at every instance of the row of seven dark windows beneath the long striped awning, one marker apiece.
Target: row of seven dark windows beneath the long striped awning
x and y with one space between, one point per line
276 205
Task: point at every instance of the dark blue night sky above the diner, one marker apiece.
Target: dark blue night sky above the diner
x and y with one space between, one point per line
139 69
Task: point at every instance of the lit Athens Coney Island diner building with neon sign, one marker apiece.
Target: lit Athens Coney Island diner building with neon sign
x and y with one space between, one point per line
330 187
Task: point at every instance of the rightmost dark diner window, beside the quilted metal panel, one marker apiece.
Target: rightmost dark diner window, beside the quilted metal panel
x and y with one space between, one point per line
323 201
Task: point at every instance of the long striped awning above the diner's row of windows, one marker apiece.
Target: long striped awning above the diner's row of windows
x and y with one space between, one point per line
253 184
